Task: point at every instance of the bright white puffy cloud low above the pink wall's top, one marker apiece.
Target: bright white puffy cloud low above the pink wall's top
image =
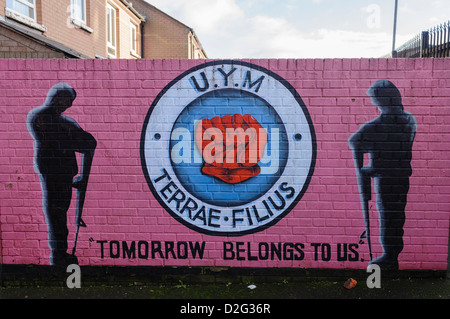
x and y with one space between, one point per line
268 37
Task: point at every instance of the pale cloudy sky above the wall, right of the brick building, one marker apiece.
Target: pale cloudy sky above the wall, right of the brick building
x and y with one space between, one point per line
304 28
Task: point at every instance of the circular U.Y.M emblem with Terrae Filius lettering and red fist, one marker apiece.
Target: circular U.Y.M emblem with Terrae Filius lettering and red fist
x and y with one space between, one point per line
228 148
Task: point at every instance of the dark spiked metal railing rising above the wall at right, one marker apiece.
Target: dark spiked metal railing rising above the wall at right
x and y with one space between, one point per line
434 43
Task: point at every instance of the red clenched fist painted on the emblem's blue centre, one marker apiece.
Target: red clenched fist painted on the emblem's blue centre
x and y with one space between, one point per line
232 146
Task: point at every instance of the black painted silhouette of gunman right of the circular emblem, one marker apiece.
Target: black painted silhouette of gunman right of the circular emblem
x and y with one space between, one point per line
388 141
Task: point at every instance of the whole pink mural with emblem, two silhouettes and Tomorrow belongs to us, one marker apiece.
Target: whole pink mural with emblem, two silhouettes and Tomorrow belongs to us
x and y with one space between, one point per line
225 164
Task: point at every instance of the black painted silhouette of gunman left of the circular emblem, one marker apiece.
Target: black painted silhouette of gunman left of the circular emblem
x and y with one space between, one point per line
56 140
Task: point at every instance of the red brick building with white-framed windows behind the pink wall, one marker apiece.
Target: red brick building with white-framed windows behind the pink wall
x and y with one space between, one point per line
92 29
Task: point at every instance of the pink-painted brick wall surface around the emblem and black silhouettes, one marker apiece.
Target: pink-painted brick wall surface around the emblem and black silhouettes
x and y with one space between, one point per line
113 100
